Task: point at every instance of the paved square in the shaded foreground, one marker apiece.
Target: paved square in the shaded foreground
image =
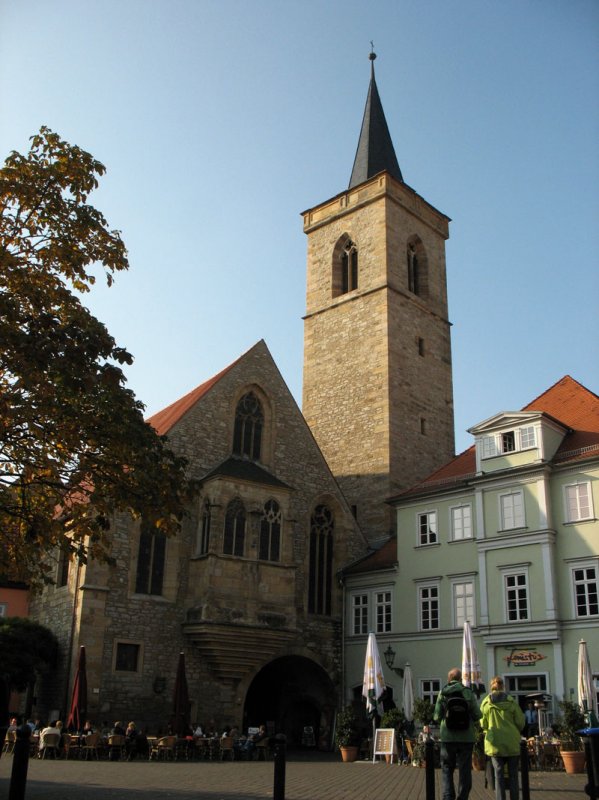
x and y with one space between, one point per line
324 778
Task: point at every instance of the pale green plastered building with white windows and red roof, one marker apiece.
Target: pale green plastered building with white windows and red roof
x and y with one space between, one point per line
505 536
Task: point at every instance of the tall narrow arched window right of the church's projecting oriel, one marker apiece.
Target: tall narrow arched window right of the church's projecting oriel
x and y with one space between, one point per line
320 574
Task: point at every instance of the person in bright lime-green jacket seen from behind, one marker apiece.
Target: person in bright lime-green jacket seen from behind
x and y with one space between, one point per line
502 722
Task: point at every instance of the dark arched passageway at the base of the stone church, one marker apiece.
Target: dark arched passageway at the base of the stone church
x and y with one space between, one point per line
292 695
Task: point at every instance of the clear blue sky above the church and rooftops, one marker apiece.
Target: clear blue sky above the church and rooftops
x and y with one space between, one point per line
219 121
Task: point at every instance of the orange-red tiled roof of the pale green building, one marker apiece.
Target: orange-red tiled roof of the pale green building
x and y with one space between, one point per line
567 401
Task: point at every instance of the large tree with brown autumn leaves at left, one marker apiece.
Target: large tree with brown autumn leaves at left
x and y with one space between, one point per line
74 446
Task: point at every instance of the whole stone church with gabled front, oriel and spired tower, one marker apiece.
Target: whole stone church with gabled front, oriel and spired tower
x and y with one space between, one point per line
250 590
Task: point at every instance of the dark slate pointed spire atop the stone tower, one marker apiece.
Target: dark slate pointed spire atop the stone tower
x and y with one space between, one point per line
375 151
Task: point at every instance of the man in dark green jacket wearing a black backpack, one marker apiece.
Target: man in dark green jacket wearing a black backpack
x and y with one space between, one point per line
457 711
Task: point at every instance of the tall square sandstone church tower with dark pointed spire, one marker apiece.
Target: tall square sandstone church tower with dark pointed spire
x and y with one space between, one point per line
377 389
